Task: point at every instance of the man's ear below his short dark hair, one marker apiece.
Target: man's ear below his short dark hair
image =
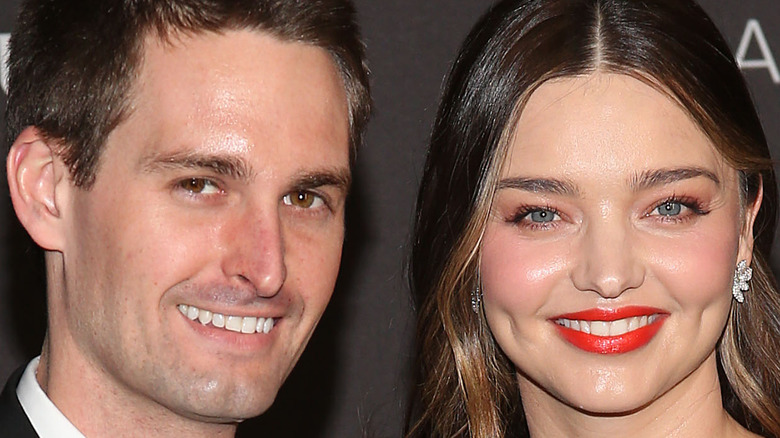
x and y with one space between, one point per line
35 175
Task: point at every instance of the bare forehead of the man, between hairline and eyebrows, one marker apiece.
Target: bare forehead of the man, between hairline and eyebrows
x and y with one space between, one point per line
225 94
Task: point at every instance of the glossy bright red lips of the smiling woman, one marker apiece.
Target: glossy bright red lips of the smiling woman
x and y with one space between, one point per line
622 343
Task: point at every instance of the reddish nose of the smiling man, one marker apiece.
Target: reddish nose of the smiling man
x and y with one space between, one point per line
256 252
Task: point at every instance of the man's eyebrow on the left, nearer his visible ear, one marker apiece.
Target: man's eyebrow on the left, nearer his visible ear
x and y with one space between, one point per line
220 164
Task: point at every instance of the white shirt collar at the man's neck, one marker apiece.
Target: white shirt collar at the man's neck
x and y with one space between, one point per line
46 419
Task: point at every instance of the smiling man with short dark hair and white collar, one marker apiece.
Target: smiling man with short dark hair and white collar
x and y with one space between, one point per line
184 164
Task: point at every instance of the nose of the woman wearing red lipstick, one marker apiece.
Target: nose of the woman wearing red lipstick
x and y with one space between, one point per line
607 261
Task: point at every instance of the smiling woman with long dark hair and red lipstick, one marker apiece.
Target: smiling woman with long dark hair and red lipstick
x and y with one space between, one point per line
597 190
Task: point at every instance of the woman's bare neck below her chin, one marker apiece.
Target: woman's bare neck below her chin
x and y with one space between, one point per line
692 408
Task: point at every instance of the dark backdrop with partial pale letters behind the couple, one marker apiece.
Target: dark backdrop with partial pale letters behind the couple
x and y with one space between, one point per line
353 378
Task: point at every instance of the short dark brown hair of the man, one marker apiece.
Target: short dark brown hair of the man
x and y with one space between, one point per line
72 64
